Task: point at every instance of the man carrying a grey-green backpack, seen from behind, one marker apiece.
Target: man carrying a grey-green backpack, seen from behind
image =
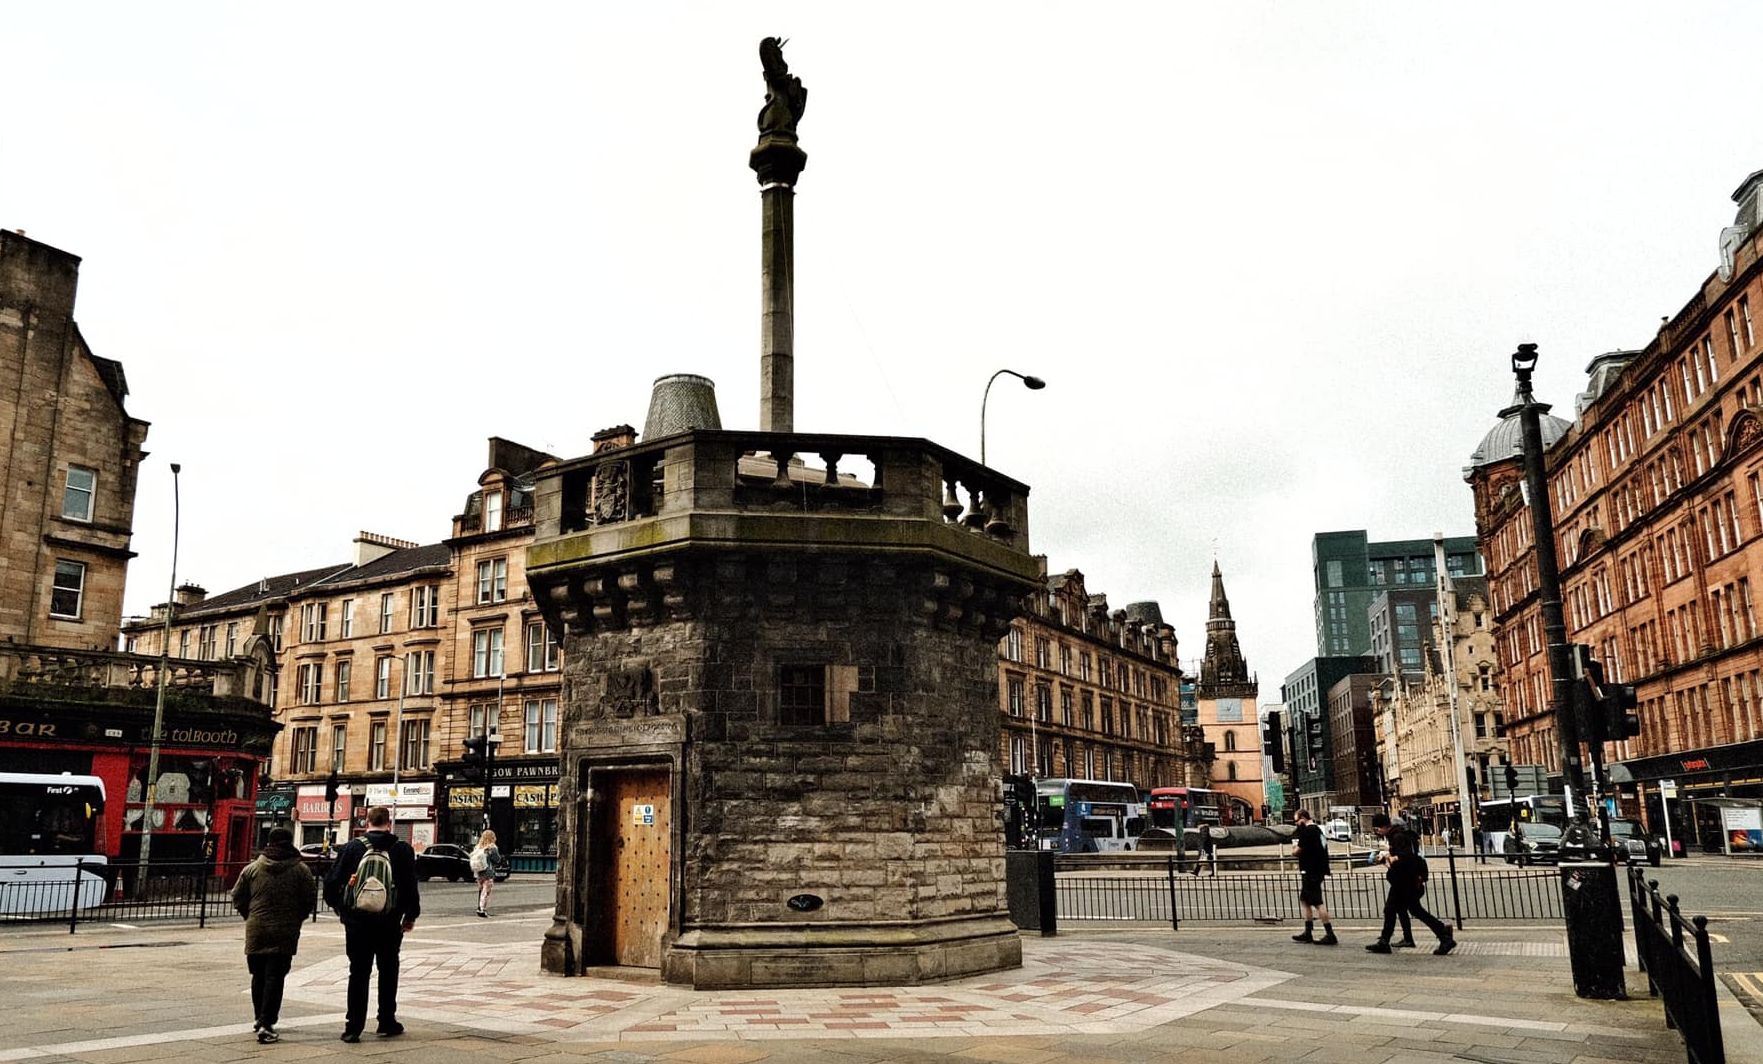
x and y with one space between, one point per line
373 890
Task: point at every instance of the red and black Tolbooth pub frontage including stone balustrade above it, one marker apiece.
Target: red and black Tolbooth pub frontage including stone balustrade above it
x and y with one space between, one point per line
93 714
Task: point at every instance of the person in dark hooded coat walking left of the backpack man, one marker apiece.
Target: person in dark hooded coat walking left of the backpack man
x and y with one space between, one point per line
274 894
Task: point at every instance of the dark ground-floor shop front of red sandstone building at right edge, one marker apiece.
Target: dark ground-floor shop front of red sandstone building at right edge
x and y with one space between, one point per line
1702 799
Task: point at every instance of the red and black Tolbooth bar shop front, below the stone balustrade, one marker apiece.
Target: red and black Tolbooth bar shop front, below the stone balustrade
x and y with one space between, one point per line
211 758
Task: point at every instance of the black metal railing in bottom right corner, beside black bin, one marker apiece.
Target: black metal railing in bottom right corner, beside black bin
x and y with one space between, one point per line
1679 973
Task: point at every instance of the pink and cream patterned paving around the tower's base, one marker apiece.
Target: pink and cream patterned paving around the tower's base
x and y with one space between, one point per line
1064 987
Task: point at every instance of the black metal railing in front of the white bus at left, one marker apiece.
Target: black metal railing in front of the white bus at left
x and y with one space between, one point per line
84 894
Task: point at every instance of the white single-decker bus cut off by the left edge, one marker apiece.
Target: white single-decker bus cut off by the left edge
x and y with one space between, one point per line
48 839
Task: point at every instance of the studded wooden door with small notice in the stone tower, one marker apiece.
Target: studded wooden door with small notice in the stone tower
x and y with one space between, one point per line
639 873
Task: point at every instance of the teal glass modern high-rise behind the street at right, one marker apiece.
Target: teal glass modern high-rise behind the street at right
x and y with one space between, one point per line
1350 572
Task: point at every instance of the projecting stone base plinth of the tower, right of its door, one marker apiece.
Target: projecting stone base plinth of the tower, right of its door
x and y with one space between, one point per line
895 954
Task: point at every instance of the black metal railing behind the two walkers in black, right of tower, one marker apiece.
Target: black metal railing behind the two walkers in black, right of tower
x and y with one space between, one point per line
1193 890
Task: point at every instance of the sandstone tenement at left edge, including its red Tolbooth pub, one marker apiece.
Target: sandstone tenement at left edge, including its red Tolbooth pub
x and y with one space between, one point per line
70 702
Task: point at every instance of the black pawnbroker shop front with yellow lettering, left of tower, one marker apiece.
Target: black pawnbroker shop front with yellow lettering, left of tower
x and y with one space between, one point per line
523 811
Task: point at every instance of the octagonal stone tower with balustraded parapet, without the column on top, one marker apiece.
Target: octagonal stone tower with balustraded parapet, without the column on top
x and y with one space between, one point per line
780 707
